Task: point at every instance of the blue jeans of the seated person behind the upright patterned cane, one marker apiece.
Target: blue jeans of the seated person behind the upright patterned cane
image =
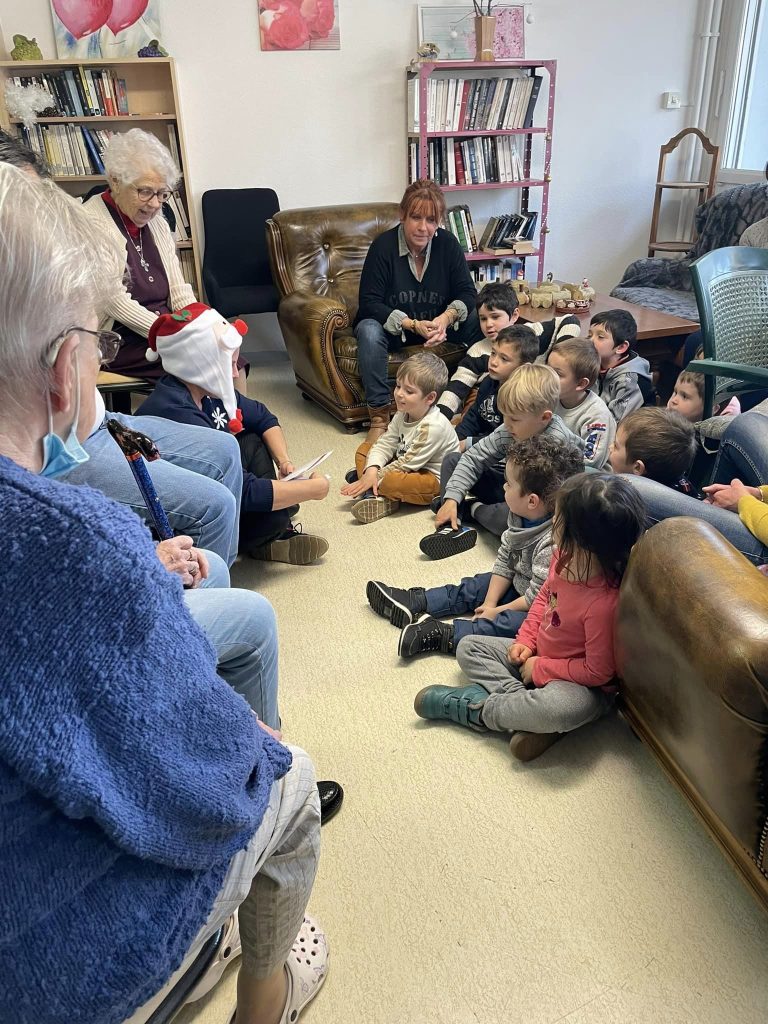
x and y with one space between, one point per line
199 479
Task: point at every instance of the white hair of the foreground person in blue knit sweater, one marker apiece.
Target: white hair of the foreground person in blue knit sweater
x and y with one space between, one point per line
56 275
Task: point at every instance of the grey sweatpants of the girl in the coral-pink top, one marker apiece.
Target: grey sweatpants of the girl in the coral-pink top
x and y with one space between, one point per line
559 707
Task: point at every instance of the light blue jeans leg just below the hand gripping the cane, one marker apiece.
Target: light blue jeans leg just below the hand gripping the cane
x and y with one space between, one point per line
242 627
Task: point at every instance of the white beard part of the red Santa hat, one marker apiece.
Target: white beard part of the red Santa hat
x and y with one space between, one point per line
201 354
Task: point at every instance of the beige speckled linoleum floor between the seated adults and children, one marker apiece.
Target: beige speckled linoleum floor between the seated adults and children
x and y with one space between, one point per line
456 885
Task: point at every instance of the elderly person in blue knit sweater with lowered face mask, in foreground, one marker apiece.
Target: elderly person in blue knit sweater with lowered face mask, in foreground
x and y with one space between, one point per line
141 799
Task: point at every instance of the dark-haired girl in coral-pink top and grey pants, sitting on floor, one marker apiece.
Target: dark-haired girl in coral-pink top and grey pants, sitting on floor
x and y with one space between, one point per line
560 673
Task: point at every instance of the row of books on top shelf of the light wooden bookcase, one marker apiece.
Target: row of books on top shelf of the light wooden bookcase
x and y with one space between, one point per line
81 93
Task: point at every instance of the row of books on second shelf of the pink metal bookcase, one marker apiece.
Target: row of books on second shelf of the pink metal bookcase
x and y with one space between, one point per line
471 161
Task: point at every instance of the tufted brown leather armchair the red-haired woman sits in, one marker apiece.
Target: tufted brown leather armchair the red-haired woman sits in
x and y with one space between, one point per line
317 258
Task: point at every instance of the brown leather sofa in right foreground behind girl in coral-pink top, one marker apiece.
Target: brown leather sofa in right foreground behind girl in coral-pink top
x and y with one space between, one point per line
693 650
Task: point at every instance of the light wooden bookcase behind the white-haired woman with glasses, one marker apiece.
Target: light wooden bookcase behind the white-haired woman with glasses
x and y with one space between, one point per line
92 101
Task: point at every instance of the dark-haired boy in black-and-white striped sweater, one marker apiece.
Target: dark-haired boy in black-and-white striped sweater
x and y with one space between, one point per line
497 310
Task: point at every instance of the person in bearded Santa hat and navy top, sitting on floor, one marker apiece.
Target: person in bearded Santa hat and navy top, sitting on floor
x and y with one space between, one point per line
199 350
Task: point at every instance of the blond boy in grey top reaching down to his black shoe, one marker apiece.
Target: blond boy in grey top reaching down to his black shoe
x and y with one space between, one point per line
527 403
